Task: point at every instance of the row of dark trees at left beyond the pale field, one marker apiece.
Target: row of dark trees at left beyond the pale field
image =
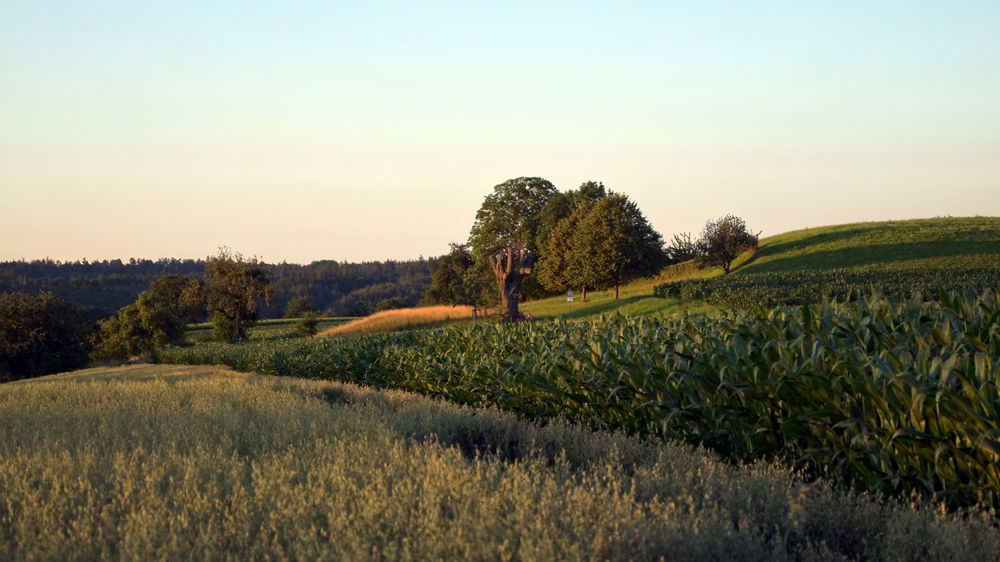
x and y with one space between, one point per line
41 333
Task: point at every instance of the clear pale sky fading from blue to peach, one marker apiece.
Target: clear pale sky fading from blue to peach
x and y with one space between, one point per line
298 131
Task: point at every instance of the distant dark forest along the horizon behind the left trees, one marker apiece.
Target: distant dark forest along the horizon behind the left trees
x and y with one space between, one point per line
100 288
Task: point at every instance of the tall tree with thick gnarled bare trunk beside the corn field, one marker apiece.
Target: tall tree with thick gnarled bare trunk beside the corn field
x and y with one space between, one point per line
505 236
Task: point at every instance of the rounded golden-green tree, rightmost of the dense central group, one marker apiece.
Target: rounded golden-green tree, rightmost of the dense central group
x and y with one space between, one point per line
614 243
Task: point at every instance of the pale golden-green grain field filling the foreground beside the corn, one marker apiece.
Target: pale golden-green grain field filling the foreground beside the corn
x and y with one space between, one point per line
165 462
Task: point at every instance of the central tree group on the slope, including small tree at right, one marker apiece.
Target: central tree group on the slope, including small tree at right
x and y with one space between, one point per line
529 239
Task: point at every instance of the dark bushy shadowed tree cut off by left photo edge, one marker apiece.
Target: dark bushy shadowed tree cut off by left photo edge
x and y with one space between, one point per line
39 335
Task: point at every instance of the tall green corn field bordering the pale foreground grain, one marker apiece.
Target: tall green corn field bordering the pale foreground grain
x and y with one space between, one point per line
886 395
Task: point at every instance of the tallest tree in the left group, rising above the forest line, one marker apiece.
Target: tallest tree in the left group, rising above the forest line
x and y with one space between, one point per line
235 286
